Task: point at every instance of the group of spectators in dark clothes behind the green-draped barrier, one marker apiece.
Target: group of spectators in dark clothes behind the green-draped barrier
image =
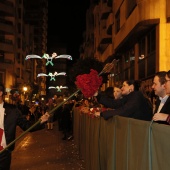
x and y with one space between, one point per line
133 101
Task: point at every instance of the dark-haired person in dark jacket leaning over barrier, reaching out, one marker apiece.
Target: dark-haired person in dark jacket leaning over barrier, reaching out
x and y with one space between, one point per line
135 105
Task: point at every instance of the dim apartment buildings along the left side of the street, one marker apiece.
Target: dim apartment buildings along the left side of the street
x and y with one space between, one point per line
18 38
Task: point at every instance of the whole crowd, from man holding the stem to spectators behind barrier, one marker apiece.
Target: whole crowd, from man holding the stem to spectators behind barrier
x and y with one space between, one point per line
131 99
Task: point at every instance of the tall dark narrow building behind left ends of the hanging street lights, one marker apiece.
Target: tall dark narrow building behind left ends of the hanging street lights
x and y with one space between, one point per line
36 14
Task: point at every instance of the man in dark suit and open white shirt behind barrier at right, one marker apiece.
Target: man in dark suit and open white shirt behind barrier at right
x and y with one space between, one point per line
162 103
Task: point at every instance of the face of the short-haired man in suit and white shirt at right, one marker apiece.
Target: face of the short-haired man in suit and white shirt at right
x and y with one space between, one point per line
158 88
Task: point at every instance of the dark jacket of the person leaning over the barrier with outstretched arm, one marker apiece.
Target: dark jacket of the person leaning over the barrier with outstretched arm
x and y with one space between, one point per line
135 106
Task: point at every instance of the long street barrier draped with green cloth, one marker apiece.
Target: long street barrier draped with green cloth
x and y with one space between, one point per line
123 143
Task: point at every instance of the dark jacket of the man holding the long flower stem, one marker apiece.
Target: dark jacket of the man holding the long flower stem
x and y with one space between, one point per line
13 118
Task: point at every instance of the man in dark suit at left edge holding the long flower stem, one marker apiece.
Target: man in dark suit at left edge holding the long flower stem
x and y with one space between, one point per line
10 117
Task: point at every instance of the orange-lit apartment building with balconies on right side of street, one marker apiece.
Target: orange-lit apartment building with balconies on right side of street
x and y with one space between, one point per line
136 33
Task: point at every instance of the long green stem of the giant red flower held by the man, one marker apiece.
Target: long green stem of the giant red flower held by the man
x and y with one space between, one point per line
36 123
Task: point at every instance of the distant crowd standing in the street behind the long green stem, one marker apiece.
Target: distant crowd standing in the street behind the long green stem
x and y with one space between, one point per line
63 114
